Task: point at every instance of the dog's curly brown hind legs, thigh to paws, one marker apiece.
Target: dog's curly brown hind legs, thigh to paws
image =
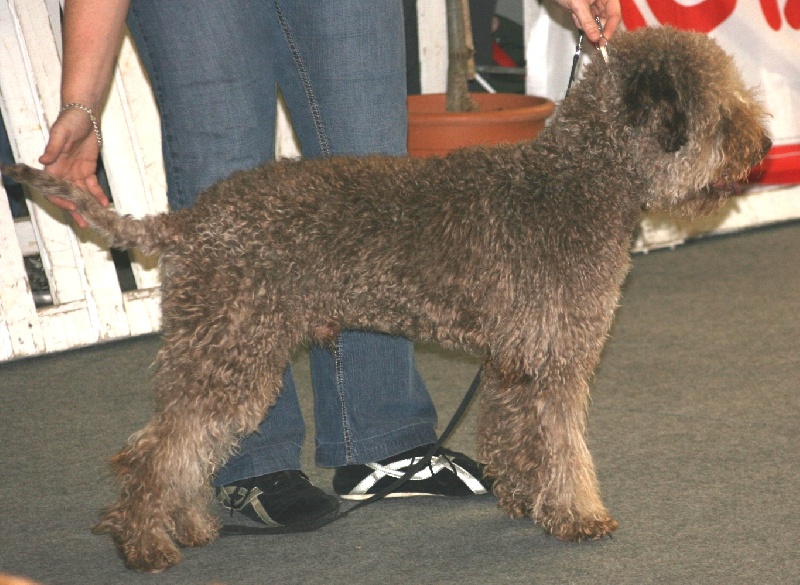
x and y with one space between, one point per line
211 387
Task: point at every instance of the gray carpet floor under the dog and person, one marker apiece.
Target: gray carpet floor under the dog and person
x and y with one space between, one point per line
694 428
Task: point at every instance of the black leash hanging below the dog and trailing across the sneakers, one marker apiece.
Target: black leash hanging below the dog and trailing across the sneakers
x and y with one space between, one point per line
422 463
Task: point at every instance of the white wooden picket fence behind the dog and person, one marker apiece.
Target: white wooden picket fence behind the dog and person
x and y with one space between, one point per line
88 305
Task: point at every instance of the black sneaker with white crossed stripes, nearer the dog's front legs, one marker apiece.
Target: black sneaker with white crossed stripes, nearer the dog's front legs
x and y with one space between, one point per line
449 474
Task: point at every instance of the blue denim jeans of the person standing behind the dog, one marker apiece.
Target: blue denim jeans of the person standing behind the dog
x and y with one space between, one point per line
340 67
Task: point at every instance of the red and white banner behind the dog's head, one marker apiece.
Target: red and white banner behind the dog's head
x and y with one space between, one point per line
764 38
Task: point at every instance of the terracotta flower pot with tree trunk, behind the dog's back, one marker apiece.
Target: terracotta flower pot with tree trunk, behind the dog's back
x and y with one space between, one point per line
503 117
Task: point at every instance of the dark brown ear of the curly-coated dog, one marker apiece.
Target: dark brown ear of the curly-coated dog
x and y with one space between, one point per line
651 96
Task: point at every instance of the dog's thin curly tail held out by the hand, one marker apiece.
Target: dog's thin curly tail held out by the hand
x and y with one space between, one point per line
121 231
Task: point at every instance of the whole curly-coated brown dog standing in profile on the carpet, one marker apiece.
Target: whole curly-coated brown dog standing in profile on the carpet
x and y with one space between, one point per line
515 253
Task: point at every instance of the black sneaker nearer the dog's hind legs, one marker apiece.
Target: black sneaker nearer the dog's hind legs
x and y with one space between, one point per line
285 501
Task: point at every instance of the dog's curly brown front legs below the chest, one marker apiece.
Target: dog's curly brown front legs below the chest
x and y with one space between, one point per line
531 435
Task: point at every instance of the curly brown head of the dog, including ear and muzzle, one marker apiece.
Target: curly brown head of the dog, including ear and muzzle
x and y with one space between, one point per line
691 126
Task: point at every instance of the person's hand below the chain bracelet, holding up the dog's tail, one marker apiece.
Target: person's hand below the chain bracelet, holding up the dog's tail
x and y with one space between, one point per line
71 154
